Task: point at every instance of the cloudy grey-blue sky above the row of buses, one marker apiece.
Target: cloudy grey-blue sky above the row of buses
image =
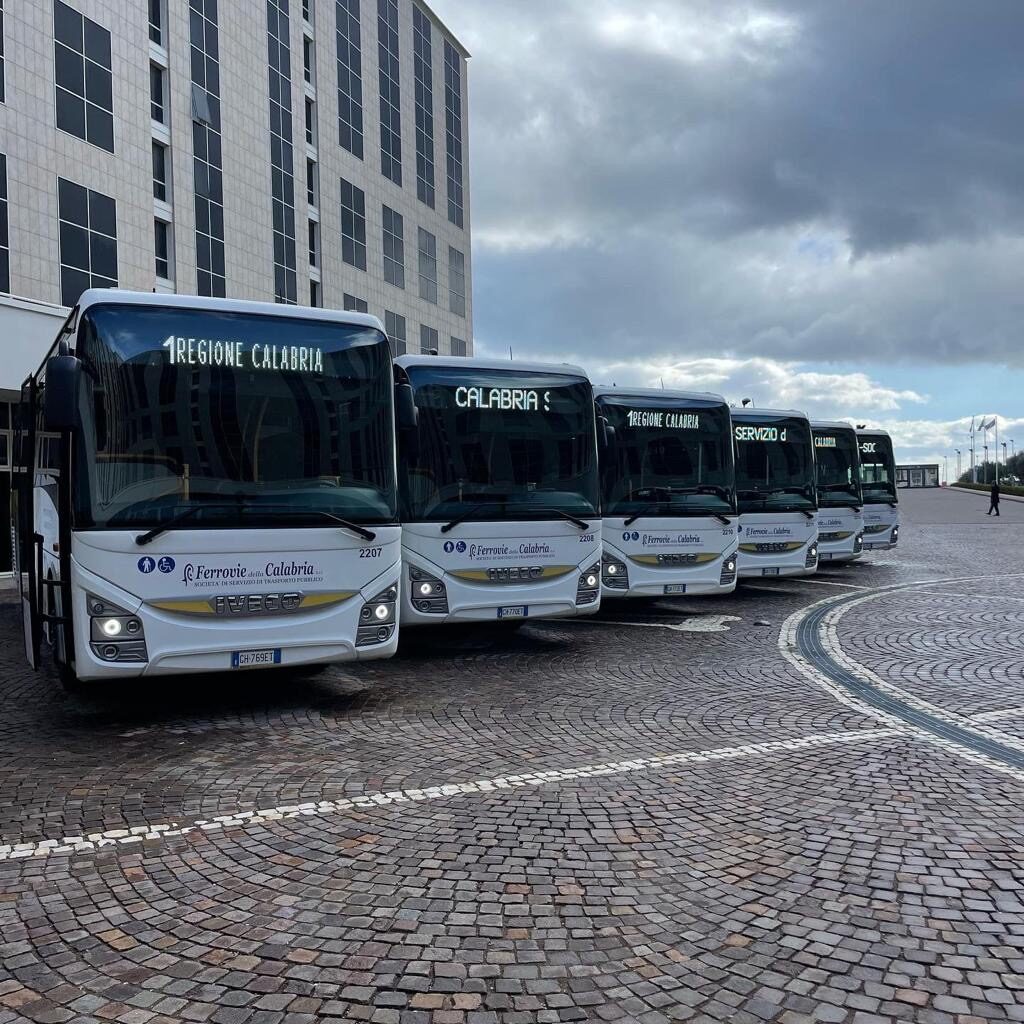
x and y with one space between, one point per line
816 204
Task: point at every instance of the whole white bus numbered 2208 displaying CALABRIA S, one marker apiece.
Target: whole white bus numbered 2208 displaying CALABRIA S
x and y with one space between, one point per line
499 486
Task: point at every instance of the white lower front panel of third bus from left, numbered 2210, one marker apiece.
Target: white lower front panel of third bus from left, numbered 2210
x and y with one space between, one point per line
655 558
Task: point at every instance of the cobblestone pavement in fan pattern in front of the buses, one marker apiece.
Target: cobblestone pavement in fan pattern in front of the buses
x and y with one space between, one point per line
669 815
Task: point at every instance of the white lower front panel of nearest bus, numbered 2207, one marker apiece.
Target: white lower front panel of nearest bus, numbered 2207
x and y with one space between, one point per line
216 601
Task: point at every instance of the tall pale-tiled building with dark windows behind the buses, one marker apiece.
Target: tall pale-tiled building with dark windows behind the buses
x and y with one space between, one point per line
293 151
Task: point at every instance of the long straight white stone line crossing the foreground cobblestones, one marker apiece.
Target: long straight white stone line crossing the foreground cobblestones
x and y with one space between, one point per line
138 834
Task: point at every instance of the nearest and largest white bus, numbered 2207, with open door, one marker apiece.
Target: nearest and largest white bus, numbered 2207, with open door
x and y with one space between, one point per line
207 485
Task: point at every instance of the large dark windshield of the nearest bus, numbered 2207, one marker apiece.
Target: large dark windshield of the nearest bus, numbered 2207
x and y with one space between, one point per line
236 419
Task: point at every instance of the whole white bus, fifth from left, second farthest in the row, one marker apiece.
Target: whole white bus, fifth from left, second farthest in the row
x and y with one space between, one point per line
841 518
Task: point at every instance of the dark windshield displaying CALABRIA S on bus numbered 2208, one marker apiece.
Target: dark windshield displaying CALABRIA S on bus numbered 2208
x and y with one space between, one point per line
500 445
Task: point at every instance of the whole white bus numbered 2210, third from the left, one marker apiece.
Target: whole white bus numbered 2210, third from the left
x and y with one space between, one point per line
668 493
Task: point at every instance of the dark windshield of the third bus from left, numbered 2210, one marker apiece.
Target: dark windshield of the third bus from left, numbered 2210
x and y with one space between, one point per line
670 457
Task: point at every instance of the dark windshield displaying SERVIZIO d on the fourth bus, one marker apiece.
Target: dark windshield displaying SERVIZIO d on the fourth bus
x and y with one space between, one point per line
775 464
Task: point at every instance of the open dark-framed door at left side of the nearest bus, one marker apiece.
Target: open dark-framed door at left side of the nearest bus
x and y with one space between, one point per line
27 549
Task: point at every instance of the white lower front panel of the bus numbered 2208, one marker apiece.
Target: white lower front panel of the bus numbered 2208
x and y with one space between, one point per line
491 572
